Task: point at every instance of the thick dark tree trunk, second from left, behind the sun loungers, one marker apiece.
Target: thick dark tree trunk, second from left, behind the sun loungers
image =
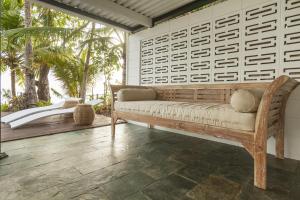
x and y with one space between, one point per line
43 83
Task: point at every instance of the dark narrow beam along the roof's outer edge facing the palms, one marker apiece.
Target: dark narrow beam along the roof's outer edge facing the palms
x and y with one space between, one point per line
81 14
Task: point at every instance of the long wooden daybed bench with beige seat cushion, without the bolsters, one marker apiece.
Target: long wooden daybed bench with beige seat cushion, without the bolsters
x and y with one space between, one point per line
206 109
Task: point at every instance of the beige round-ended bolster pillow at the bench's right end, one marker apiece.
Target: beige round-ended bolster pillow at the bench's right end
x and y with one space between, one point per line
246 101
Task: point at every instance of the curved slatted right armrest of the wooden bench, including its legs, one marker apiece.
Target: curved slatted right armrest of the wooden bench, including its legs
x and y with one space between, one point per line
270 122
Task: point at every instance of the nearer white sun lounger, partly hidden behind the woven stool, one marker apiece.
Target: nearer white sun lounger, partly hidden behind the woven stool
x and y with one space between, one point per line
30 118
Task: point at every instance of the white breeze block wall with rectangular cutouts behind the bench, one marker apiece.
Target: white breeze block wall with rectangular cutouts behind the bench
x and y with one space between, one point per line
231 42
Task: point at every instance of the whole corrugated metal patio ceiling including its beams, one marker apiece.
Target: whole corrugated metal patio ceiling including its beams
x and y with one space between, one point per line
126 14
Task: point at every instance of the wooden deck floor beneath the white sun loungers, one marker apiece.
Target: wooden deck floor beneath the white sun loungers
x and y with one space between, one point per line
48 126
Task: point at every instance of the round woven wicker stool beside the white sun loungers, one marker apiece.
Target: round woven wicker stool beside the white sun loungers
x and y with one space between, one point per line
84 114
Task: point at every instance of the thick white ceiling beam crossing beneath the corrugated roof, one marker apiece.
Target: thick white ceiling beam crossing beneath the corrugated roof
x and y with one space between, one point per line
119 10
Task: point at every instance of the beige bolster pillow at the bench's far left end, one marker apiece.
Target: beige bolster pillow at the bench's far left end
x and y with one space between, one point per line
136 94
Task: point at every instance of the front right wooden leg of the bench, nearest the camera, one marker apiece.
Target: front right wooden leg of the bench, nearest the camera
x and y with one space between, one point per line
260 167
